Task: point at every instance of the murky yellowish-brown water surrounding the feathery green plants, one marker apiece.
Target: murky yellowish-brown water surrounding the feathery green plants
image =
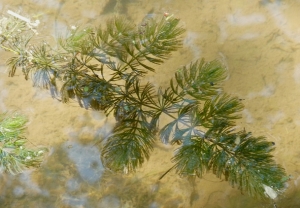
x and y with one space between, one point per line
259 41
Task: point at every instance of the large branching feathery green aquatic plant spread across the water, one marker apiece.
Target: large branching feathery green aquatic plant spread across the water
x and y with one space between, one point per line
103 69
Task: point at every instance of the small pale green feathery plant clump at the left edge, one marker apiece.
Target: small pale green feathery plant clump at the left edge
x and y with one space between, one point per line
14 156
